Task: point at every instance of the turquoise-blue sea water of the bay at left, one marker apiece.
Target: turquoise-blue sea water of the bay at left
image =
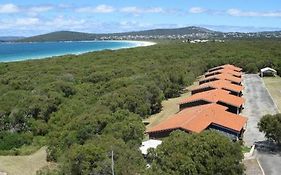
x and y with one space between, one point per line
25 51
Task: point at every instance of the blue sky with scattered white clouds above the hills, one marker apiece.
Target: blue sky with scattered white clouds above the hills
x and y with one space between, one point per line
33 17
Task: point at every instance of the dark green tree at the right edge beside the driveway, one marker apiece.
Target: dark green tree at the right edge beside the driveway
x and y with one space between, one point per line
271 126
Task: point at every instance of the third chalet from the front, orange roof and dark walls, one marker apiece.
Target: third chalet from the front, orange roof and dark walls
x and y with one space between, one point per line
219 84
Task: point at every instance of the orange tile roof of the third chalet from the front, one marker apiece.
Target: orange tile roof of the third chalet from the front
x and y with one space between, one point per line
220 84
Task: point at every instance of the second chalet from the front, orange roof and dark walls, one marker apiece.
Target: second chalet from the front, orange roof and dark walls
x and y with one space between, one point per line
233 103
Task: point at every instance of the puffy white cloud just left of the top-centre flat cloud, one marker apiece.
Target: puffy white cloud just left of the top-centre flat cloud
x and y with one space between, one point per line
98 9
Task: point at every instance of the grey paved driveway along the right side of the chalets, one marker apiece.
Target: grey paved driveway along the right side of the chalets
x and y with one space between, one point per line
258 103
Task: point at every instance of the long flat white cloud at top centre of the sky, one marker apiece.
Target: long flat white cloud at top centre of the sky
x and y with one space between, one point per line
136 10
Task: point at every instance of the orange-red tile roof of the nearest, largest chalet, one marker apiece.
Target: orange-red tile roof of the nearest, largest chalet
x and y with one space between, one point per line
197 119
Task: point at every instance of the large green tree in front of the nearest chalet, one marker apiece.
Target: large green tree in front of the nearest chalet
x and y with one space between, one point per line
205 153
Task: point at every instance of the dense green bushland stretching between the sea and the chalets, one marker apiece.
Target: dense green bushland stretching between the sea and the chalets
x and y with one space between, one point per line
95 102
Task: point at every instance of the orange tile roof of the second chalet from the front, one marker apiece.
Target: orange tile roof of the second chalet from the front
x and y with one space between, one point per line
214 96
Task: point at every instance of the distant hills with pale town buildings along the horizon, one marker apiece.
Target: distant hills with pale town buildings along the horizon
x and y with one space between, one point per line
177 33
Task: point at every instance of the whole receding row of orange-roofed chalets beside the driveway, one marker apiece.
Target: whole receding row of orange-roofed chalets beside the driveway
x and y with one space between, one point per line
215 104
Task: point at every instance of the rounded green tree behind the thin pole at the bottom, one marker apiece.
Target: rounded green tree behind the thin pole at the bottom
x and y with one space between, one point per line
94 157
